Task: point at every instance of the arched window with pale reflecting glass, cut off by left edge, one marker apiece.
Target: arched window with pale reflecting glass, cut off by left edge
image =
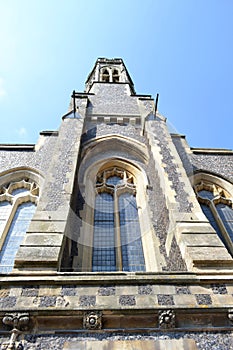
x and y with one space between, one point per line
17 206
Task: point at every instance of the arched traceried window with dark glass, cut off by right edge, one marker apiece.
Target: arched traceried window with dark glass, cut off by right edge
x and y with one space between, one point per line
216 204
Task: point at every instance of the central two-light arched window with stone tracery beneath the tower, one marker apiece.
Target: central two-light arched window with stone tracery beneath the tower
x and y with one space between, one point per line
117 244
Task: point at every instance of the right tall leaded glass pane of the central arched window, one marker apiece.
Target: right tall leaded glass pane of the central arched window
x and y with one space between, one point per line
131 243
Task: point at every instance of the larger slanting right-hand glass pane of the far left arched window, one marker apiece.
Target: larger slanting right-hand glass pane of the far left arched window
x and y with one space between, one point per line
15 236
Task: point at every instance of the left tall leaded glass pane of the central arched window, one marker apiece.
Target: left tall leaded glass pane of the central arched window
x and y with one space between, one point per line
103 255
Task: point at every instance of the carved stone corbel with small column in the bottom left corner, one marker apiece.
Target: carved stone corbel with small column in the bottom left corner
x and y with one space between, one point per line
18 322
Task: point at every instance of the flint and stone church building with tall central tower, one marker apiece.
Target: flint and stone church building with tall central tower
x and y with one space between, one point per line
115 233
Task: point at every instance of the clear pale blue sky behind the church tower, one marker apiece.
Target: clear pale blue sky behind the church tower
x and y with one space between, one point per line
181 49
